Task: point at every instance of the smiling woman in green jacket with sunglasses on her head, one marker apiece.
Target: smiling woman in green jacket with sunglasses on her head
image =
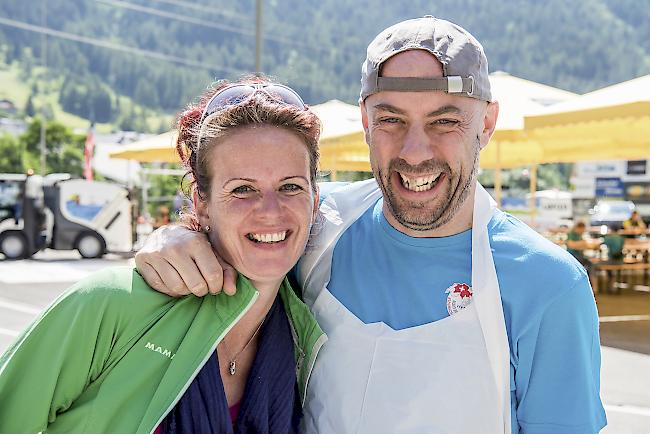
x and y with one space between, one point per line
111 355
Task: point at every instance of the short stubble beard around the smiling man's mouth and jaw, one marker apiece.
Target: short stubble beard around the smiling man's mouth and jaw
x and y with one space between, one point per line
457 191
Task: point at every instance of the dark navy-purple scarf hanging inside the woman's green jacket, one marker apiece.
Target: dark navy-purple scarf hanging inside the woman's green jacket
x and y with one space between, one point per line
270 402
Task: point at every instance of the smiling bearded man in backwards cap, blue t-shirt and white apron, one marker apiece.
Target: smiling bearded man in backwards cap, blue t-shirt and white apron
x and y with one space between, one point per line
443 314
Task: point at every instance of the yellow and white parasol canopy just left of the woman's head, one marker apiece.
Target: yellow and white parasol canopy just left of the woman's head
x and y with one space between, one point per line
160 148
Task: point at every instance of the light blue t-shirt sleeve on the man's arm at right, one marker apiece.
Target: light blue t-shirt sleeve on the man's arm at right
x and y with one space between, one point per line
558 373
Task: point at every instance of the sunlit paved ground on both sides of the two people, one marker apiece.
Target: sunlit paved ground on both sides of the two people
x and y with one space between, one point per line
26 287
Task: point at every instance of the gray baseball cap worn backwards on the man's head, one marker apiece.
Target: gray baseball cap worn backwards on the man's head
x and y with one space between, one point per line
464 65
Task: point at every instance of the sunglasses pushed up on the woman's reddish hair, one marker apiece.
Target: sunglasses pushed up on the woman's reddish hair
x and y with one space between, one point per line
236 93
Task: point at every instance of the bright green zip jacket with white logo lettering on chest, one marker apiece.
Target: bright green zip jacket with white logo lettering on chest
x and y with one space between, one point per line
111 355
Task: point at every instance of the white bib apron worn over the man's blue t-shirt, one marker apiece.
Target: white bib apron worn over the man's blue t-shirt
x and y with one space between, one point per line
448 376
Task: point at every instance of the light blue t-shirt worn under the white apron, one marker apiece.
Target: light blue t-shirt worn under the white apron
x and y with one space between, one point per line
380 274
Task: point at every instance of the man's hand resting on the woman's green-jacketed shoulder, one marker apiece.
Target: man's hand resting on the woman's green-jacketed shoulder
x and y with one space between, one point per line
177 261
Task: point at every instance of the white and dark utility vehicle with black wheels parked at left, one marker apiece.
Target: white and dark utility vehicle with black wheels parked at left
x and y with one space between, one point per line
61 213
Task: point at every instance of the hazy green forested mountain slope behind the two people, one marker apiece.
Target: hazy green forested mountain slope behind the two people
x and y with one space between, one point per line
317 47
